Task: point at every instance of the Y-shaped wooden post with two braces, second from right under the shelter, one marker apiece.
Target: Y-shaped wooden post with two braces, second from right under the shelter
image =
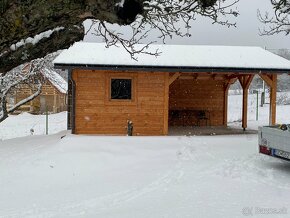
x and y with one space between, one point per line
245 81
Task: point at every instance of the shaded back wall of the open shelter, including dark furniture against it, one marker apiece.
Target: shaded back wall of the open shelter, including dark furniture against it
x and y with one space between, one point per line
189 96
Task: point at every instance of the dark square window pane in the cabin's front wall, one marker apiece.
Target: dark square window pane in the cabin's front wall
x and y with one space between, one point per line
121 88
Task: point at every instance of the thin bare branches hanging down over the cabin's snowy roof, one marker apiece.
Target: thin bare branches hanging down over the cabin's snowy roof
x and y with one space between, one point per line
165 17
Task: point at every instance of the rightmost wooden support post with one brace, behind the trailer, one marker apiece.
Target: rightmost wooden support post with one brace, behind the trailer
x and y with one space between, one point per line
271 81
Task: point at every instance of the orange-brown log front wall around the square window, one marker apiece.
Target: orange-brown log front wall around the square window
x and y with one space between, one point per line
96 113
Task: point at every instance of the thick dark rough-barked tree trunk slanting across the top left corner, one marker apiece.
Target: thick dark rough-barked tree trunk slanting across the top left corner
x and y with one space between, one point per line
22 19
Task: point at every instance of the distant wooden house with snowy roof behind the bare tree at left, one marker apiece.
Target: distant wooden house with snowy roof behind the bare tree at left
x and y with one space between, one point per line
52 97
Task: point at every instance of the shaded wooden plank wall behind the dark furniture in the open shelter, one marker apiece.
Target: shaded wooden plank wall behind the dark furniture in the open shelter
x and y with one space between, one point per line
200 94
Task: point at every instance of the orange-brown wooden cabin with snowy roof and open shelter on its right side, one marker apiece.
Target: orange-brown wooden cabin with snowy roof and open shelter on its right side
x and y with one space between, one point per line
184 86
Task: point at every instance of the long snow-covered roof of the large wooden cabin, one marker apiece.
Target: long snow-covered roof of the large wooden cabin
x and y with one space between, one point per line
173 56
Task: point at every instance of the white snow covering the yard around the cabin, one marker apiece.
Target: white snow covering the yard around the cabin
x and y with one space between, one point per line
173 176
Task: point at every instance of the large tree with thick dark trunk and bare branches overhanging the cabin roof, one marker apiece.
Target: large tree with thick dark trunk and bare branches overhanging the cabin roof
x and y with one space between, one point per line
31 29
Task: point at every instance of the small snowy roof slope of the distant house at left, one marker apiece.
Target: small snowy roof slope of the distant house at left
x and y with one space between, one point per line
55 79
